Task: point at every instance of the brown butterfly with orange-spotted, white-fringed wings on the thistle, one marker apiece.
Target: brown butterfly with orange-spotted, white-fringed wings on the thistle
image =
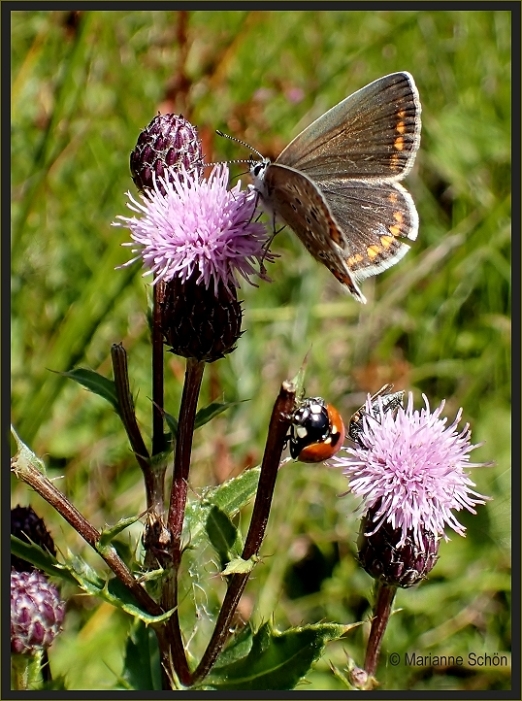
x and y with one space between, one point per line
336 185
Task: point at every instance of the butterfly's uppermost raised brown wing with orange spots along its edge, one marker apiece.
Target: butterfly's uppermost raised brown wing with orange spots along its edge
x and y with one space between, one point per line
374 133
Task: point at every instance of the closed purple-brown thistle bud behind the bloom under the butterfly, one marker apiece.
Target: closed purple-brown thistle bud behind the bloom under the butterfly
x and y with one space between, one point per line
169 143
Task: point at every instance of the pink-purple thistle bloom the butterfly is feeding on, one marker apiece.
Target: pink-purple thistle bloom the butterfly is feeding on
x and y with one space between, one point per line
198 226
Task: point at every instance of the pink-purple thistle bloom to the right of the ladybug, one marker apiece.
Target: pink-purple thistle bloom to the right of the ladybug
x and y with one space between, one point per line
410 466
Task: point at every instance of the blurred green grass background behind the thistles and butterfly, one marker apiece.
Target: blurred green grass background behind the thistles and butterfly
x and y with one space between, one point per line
438 322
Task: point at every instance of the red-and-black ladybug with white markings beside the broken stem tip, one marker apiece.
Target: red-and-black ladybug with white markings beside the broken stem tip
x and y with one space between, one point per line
317 431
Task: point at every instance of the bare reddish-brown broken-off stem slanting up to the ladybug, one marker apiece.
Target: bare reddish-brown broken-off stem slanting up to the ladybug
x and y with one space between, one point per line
277 432
